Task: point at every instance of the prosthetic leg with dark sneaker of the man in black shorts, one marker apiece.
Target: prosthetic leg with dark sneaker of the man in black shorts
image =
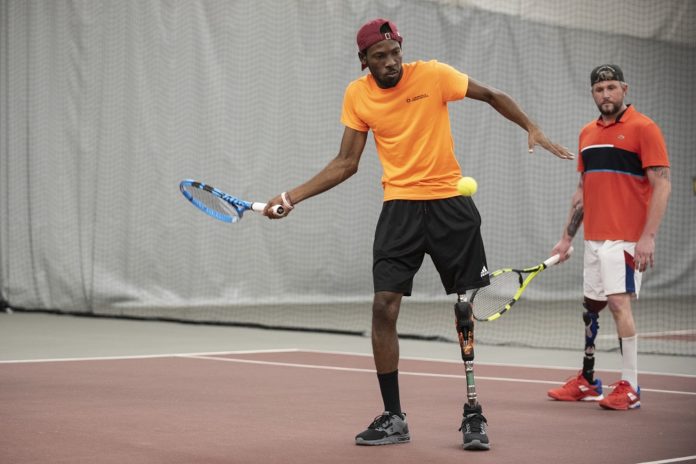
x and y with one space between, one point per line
473 424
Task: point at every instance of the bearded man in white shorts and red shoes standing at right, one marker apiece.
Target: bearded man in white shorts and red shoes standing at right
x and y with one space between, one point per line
621 198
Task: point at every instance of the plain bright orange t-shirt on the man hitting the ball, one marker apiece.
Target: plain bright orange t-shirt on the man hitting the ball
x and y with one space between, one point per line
411 128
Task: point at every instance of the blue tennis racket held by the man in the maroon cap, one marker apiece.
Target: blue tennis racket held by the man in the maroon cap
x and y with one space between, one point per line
221 205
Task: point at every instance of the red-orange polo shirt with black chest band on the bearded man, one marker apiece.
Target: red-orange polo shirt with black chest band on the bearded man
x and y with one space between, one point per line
616 190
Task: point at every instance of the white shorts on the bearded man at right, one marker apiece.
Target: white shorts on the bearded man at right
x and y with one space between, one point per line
609 269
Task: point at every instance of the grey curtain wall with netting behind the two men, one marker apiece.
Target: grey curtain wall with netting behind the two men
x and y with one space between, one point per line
106 106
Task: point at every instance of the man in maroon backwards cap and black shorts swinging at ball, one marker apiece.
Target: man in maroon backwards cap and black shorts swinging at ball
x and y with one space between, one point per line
405 106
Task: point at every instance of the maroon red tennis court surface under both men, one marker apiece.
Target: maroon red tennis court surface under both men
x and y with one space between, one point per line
306 407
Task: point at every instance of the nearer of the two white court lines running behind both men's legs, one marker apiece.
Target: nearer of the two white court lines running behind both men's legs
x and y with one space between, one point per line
415 374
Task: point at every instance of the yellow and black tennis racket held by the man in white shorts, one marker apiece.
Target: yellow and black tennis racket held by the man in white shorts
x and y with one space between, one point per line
505 289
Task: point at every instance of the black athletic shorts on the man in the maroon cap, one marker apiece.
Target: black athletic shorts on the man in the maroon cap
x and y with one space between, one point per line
449 230
